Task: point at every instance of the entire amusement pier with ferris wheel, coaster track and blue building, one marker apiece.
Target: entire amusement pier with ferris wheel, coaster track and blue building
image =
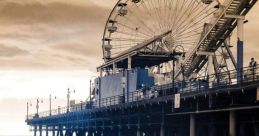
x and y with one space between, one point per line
168 71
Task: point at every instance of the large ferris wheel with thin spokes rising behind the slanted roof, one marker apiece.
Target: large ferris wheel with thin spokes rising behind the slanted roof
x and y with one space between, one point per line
133 22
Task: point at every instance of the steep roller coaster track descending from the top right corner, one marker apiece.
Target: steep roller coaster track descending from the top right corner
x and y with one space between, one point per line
216 35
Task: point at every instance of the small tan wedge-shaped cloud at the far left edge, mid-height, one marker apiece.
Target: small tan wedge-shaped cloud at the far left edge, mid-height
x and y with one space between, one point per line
12 51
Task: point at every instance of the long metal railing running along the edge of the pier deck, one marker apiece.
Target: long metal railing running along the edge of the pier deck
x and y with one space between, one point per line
199 84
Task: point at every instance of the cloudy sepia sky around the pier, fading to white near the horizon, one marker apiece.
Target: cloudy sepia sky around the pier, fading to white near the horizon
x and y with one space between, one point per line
47 46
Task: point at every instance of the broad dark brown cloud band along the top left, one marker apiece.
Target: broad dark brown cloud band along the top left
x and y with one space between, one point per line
54 12
